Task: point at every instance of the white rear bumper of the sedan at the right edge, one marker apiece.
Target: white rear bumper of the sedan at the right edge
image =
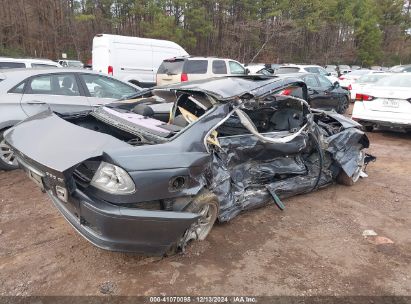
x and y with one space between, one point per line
380 118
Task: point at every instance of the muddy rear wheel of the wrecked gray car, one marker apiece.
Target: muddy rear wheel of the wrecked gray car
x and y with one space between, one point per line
206 205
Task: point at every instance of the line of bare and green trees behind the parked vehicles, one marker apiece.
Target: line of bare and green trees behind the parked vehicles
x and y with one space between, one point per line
363 32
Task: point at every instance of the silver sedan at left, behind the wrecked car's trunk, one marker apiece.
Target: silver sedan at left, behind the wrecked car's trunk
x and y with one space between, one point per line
27 92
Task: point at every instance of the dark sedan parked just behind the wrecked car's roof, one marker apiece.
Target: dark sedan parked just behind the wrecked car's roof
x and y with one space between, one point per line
322 94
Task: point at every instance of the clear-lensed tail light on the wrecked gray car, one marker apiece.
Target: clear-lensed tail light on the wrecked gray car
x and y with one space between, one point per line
113 179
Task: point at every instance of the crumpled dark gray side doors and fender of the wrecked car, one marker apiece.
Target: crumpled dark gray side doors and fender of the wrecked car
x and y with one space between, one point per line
247 173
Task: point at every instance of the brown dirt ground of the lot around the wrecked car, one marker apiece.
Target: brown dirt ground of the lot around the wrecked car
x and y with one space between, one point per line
314 247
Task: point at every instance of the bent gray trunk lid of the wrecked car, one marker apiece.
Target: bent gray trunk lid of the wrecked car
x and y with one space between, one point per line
57 144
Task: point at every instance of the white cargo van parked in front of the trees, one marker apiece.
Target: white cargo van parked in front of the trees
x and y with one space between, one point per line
132 59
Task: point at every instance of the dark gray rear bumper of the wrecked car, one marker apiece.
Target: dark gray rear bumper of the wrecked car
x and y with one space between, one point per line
123 229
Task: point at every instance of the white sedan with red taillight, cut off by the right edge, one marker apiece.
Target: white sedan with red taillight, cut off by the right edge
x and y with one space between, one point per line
387 103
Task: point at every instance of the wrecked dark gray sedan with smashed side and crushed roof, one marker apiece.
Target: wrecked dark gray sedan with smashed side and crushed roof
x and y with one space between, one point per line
130 178
